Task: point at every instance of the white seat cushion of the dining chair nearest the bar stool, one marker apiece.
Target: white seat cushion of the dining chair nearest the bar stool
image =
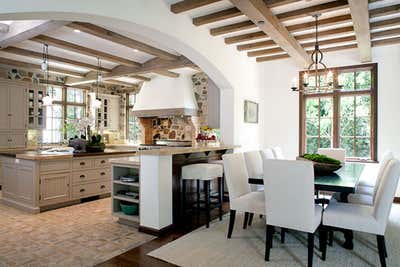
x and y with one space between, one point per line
253 202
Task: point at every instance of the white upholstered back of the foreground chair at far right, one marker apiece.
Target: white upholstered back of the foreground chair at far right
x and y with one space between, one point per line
386 192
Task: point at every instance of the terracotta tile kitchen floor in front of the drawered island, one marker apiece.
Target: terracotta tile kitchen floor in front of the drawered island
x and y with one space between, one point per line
80 235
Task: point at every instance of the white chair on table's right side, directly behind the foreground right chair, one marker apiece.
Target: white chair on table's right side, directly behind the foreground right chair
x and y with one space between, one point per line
365 194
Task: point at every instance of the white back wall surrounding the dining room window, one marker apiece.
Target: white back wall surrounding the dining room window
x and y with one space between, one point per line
282 106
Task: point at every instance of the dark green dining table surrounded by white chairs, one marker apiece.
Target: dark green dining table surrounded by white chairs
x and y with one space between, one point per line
342 181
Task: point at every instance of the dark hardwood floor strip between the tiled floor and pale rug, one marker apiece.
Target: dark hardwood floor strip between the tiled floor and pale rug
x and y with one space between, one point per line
138 256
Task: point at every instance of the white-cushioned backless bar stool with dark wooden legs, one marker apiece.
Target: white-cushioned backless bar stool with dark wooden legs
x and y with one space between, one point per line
205 172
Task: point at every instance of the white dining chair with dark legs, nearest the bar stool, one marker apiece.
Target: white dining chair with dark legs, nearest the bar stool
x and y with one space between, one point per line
241 198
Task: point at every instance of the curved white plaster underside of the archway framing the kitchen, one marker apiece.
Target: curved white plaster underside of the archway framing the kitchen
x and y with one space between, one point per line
136 27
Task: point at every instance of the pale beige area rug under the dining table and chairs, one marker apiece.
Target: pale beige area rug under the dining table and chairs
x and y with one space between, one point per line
210 247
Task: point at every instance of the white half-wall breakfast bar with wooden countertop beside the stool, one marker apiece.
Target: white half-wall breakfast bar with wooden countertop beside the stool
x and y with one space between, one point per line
160 183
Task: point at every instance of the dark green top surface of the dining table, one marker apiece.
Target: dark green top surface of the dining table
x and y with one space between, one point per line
343 180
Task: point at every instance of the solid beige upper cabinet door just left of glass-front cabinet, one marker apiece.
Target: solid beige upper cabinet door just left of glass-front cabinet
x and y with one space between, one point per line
18 108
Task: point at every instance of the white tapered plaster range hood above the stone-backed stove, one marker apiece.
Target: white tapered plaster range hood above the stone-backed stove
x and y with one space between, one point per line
165 92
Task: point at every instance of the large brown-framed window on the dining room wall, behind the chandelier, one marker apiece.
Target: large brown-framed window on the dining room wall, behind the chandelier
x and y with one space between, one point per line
344 118
